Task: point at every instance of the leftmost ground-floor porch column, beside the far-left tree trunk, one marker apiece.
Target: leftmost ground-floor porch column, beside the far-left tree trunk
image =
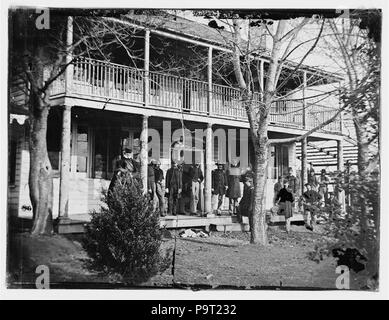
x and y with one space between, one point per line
65 164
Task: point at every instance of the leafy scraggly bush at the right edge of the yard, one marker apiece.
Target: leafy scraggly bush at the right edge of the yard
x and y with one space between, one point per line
356 229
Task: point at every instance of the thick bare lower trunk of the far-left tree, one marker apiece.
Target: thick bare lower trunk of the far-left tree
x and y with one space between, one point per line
40 177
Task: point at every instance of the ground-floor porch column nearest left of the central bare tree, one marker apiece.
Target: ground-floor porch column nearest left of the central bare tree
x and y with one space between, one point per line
208 170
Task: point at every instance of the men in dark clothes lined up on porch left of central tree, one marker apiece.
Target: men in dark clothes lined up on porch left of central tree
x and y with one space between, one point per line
183 182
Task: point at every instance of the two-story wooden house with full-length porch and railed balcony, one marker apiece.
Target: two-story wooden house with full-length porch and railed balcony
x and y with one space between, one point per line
103 106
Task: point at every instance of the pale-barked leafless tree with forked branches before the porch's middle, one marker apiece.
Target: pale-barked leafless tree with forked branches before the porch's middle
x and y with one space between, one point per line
284 39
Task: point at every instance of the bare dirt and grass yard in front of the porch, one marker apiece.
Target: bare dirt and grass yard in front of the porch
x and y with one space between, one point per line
222 260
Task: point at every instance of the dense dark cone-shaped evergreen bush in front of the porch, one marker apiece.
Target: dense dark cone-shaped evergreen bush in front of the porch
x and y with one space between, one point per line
124 236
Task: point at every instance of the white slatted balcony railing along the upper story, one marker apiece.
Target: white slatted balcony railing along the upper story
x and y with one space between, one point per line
109 80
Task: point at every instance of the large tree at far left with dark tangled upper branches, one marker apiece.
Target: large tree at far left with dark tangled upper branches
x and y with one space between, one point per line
41 56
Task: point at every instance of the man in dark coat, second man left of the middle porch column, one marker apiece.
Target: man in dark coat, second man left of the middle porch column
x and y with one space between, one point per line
173 187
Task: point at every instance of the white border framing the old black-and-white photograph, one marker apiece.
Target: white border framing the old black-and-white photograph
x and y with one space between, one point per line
163 294
